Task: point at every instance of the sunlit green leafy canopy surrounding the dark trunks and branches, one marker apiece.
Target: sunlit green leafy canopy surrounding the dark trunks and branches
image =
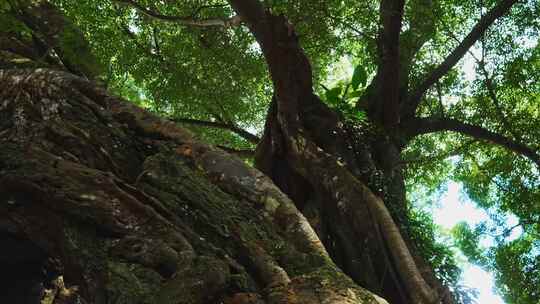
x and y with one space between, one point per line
214 79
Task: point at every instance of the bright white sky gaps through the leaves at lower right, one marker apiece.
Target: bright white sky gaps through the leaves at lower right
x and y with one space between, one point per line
455 207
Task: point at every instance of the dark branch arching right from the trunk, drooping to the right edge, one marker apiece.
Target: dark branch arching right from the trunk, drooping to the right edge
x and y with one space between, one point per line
429 125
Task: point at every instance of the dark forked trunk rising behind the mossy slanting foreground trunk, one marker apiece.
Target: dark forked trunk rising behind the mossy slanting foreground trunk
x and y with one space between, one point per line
344 177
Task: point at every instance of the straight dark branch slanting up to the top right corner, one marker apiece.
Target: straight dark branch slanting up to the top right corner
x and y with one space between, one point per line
452 59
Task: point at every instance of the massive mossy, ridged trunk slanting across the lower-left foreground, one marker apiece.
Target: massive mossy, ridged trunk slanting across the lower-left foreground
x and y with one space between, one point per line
101 202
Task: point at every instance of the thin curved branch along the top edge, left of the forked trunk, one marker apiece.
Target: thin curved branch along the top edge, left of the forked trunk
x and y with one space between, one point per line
183 20
